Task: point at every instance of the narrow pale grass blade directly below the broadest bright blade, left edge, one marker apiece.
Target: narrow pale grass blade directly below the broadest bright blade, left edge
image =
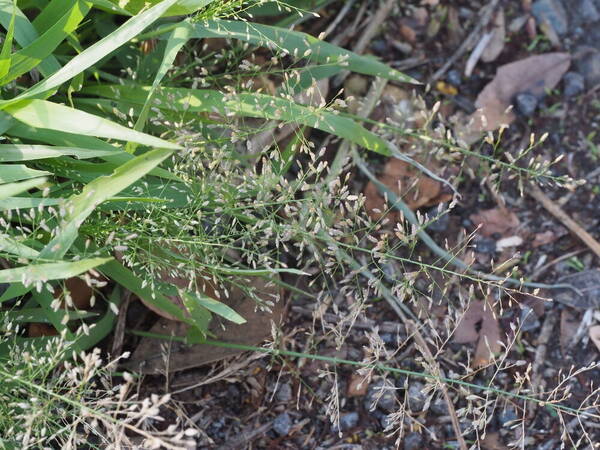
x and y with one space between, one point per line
27 152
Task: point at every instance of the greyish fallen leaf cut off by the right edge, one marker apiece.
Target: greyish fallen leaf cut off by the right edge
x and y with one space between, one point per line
587 295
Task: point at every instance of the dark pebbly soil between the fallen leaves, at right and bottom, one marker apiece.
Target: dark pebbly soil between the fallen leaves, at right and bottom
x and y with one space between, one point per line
282 402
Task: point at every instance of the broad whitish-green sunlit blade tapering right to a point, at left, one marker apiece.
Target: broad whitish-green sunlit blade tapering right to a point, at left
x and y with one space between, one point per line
49 115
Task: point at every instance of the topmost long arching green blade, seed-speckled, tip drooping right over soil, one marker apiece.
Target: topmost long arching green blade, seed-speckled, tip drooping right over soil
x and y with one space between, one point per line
297 44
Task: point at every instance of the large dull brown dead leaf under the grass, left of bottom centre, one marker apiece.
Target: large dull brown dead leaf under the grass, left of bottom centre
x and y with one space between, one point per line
159 356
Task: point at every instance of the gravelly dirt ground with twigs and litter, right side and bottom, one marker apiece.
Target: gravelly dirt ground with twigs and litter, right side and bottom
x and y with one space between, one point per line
268 402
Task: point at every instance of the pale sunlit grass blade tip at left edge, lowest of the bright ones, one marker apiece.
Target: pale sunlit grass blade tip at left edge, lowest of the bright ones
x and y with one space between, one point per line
50 271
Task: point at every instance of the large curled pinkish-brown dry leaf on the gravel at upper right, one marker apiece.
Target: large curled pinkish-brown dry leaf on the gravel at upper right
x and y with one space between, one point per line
533 75
